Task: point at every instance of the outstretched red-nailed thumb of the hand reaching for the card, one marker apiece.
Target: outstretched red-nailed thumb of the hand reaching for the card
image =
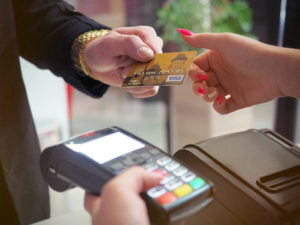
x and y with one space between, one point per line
214 41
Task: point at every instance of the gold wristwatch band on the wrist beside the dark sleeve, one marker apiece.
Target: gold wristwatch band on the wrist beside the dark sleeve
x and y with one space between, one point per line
78 46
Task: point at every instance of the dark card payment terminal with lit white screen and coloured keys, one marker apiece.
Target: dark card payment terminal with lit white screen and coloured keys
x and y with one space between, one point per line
90 160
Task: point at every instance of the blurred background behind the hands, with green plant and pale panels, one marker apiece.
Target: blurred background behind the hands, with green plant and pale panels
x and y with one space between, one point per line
175 117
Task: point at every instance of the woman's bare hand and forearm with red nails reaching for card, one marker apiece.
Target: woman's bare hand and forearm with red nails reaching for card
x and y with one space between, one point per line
247 71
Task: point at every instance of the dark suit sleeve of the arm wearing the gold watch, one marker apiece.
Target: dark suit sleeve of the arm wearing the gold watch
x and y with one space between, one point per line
46 30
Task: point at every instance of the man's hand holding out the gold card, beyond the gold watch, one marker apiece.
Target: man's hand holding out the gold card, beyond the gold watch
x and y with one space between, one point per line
111 56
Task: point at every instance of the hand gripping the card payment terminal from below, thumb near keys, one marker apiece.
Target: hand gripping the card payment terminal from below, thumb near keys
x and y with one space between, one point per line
120 202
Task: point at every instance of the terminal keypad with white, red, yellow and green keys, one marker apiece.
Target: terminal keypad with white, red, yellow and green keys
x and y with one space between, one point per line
178 181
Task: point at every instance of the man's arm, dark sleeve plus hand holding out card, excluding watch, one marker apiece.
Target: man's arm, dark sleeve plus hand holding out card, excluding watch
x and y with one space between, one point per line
46 31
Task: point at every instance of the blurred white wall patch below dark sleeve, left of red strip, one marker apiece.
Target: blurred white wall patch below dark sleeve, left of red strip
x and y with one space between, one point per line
48 103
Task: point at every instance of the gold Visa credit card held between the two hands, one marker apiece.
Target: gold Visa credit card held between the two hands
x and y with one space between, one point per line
164 69
